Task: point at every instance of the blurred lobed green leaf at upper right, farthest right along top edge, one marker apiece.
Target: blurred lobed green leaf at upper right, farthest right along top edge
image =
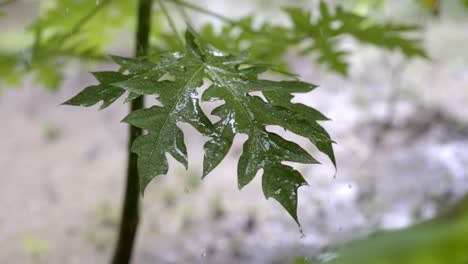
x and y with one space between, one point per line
325 30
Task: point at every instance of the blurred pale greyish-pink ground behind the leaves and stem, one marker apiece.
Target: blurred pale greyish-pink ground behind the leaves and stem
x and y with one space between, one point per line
401 127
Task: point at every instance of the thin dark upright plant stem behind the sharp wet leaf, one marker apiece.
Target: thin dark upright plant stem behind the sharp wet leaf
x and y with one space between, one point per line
130 212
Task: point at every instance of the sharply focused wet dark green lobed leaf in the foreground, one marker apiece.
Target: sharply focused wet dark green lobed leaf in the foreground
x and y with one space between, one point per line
174 80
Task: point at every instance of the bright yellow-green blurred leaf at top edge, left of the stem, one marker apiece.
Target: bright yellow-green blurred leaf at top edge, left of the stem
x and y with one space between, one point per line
69 19
